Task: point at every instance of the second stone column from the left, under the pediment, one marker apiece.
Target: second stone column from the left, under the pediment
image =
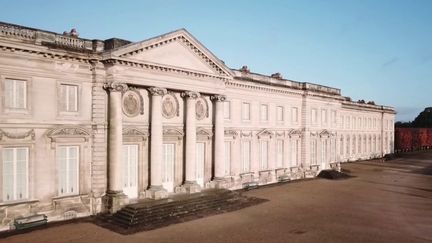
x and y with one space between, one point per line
156 190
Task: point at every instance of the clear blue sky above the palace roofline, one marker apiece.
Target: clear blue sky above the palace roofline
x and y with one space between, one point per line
375 50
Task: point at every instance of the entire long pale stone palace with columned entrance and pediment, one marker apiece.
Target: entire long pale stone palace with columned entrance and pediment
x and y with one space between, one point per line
88 126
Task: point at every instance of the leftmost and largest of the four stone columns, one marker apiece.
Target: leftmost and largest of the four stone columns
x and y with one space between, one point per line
115 198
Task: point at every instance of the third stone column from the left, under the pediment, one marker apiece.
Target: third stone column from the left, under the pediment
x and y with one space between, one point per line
190 184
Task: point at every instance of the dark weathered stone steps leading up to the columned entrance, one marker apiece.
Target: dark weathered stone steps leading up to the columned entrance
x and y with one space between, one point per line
152 214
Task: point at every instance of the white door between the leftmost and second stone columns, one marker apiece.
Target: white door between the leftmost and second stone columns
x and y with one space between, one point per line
130 170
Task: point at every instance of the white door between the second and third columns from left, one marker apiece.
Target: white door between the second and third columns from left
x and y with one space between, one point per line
168 166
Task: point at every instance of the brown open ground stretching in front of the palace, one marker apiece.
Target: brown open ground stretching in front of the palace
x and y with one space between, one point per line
385 202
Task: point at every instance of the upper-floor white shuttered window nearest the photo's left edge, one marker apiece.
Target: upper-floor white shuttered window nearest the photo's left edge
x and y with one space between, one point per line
15 94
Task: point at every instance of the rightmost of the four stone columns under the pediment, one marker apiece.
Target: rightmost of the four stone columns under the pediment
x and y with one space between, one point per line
219 141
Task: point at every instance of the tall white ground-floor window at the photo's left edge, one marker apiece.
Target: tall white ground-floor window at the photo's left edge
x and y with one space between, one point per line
15 173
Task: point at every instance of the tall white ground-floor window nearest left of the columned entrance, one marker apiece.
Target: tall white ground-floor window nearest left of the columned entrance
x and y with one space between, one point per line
67 161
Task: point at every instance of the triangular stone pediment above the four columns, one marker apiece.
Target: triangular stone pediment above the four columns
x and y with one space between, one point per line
178 49
